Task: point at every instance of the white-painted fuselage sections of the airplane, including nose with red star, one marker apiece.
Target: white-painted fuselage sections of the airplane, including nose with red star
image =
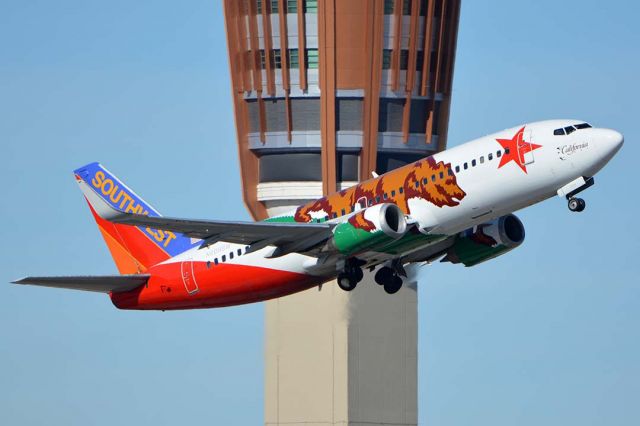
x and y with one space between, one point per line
505 171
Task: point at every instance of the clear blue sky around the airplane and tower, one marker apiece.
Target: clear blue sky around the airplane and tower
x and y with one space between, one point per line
547 334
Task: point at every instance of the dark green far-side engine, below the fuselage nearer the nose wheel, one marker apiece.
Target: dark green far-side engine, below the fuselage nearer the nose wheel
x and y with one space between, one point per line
486 241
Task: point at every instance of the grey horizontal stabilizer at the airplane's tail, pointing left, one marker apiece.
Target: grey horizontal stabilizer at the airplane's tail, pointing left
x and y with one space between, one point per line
101 284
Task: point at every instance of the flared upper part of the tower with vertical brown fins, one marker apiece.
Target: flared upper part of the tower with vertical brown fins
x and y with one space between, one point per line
327 91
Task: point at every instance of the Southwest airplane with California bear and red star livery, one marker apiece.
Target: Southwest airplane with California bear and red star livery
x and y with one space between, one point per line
454 206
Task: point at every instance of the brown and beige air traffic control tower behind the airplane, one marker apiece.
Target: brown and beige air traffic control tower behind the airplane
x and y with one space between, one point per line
326 92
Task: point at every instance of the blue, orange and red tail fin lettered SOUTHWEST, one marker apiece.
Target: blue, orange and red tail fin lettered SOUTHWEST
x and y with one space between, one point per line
134 249
